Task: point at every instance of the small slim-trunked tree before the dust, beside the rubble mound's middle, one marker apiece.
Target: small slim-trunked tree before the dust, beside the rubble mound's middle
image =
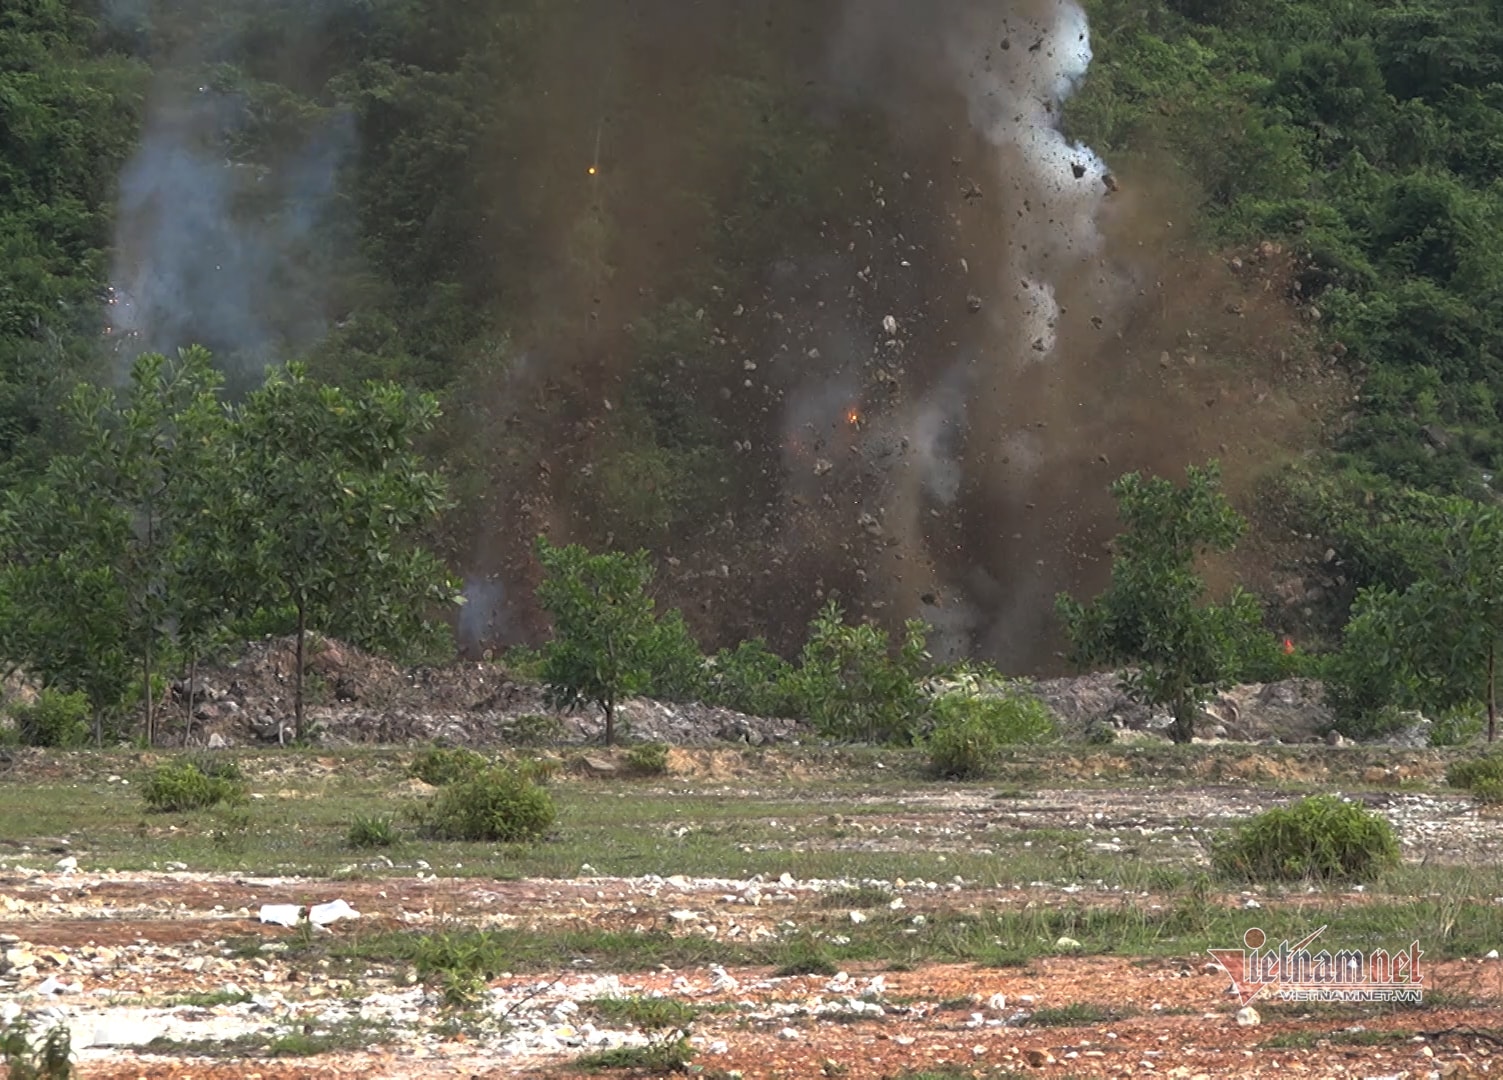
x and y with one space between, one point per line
603 627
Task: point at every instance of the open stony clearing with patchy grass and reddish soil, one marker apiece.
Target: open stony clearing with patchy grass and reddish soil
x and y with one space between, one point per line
796 911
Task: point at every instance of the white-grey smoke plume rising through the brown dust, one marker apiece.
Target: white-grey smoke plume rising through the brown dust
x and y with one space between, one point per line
1006 68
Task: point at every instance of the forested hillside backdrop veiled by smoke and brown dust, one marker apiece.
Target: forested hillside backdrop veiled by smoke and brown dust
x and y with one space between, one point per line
863 300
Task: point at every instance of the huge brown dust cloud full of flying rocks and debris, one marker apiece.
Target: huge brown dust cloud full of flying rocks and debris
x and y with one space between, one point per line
930 406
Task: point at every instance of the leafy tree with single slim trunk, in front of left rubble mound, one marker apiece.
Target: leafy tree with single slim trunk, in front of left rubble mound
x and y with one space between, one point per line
330 495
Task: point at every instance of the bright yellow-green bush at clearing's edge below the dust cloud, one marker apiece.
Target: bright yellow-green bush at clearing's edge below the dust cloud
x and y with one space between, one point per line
972 731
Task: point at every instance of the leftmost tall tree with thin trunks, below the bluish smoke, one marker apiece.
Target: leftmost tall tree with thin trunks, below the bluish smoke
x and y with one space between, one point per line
103 532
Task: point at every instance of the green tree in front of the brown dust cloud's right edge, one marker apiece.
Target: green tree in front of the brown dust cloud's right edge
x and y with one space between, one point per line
1154 615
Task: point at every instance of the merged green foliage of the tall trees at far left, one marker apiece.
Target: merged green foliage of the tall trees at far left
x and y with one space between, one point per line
180 516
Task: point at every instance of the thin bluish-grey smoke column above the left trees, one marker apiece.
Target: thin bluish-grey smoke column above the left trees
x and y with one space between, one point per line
223 231
